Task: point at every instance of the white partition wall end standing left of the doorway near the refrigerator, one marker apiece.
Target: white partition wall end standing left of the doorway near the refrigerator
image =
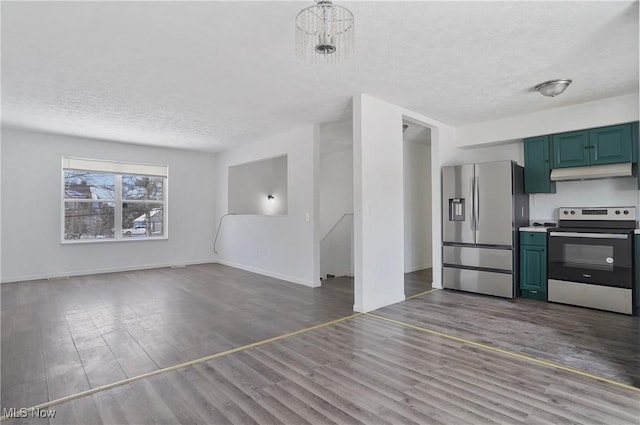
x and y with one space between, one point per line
378 204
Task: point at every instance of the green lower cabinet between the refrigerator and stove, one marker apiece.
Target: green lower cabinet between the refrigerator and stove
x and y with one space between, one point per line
533 265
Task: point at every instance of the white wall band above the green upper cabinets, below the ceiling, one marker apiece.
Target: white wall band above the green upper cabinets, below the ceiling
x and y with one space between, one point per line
603 112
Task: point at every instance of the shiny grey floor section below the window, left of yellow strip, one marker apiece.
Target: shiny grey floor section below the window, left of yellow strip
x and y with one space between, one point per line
61 337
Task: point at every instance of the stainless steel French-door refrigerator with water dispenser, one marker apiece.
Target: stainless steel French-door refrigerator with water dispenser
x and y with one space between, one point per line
483 204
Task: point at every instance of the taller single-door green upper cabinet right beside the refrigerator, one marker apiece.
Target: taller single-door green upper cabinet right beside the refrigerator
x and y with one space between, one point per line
537 165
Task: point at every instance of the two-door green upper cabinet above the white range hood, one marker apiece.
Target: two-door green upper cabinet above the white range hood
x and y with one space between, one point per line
597 146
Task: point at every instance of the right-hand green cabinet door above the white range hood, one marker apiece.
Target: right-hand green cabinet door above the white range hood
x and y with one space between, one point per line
610 145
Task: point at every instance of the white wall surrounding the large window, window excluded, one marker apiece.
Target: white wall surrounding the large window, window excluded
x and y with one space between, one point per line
31 209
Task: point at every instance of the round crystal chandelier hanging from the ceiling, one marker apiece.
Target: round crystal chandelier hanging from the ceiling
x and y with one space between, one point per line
324 32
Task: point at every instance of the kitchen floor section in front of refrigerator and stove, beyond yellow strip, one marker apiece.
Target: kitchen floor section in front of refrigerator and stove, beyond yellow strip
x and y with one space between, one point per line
600 342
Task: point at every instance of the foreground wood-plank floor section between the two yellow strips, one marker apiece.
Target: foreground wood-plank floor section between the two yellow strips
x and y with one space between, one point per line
360 371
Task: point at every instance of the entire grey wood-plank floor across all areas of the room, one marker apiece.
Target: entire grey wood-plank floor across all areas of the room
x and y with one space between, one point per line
63 337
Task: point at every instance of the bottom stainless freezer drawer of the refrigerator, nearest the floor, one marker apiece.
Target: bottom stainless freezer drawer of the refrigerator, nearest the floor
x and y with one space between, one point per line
481 282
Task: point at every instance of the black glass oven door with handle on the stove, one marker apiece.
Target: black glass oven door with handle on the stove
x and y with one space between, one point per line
591 257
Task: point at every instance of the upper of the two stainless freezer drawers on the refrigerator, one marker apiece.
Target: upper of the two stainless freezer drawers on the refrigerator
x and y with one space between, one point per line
501 259
